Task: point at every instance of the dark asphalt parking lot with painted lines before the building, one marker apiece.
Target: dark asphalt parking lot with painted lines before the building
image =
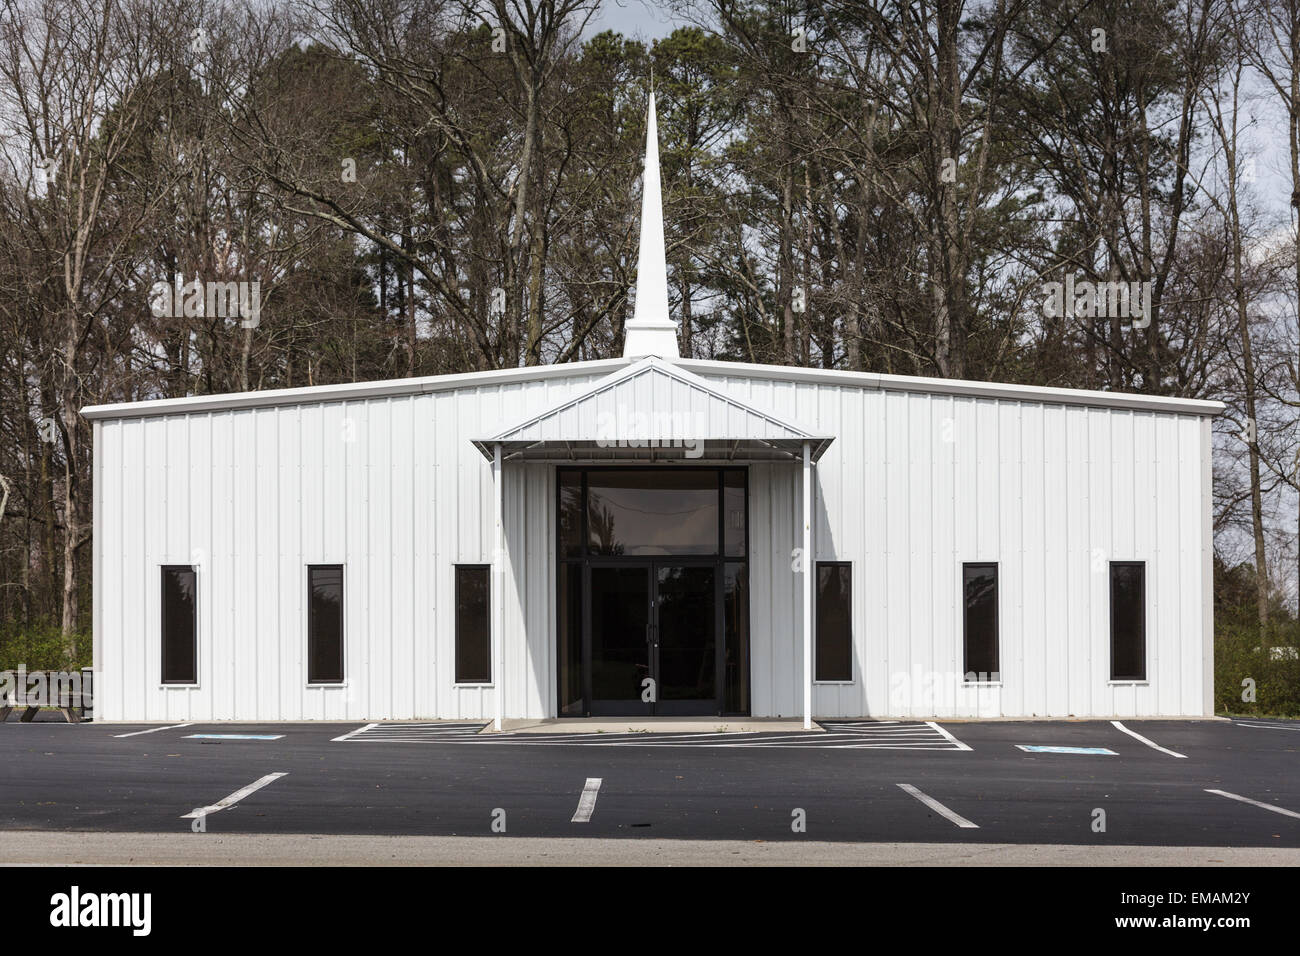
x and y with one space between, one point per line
1237 784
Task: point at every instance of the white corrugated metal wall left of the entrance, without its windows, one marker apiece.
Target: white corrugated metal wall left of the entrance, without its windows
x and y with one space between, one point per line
391 488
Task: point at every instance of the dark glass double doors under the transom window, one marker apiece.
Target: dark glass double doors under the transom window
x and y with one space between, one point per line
653 638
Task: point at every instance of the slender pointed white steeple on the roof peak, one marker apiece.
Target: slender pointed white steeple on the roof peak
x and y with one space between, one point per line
652 331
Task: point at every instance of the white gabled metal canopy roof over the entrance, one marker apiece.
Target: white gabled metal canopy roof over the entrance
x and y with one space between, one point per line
653 412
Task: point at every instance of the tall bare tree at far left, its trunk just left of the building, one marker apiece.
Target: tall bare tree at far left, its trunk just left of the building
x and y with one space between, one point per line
76 84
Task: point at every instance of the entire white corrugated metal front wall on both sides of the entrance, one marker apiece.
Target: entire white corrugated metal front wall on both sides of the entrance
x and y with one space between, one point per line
392 488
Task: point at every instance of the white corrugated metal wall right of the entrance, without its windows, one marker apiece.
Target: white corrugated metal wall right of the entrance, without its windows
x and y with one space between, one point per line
917 485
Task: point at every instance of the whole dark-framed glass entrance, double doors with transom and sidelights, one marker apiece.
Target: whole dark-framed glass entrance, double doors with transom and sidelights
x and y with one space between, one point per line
653 591
